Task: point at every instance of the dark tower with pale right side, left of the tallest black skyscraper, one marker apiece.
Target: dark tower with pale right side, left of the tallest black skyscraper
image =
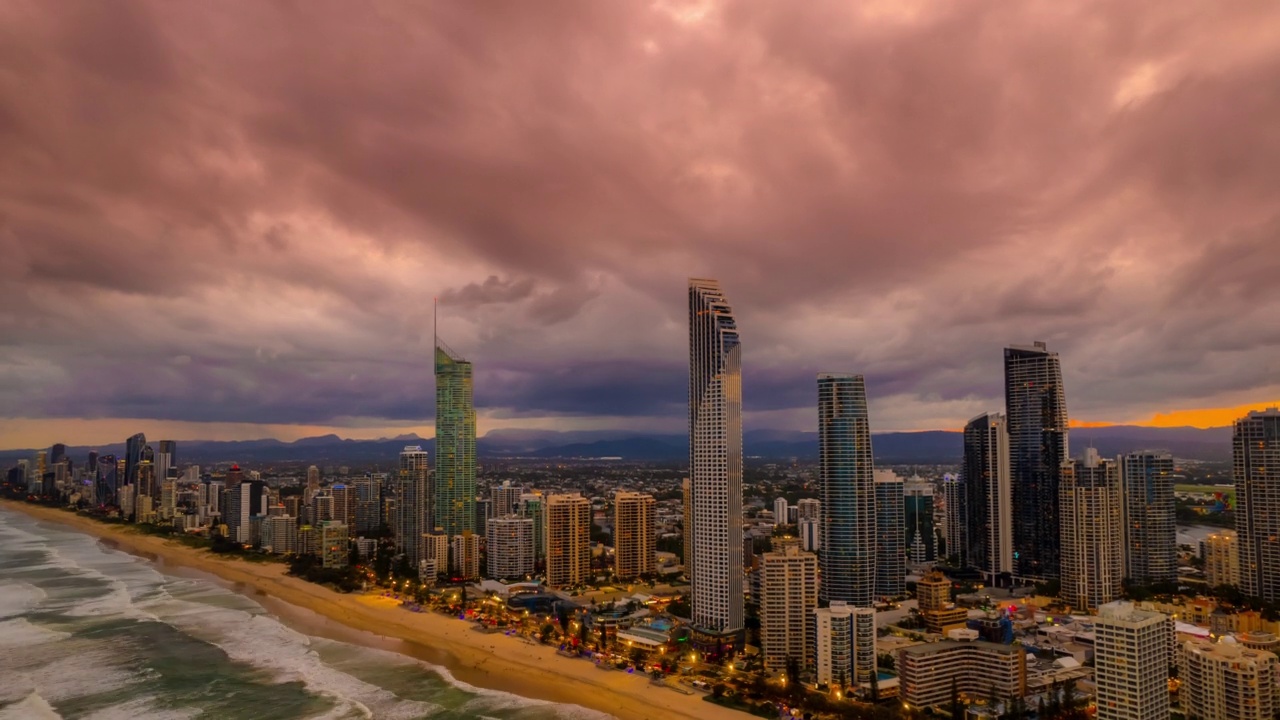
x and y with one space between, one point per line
989 511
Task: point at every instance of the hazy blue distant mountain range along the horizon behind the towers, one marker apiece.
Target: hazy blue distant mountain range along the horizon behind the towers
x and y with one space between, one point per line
921 448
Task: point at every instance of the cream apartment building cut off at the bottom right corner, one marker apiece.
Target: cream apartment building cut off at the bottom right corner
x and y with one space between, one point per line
1227 681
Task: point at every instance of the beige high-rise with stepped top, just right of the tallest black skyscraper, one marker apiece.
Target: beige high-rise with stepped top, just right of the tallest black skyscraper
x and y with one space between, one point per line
1092 545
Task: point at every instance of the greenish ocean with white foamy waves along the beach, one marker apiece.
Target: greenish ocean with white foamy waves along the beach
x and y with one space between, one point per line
94 634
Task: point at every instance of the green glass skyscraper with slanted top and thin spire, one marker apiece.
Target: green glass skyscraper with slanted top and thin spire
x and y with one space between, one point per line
455 444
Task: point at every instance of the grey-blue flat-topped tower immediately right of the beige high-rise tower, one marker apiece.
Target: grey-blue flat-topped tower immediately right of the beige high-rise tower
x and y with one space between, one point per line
1150 536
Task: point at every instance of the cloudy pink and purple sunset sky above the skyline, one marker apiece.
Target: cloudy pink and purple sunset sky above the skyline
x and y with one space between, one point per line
231 220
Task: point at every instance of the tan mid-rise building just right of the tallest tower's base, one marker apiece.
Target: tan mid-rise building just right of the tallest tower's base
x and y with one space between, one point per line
790 589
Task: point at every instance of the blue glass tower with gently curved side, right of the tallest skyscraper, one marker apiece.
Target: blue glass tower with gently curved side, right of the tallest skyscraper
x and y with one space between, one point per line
848 487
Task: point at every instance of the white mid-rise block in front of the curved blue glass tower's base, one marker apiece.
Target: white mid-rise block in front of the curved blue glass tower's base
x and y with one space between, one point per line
844 645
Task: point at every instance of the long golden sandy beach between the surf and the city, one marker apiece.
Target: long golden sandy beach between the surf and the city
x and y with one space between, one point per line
492 662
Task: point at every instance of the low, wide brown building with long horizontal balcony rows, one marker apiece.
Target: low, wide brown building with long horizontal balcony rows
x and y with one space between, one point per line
929 673
